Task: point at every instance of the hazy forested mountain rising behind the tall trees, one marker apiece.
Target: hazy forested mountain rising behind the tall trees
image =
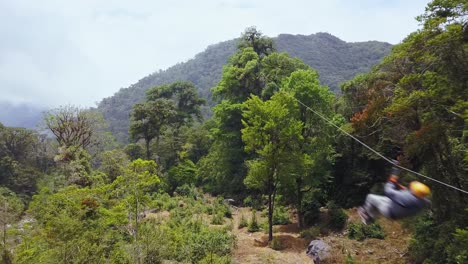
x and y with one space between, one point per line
334 59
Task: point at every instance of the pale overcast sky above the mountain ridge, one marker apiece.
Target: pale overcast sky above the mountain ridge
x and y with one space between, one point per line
55 52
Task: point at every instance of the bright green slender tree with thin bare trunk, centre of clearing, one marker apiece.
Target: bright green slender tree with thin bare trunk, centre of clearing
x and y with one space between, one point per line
272 132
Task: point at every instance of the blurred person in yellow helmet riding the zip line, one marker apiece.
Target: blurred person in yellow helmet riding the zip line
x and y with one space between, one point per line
398 202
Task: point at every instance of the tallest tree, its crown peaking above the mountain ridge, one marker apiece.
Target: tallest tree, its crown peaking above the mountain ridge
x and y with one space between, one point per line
254 70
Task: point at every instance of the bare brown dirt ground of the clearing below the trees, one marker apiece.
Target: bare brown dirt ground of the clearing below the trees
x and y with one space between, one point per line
253 247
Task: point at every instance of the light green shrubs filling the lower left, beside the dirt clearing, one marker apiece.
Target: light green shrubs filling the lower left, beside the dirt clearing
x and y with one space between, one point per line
104 224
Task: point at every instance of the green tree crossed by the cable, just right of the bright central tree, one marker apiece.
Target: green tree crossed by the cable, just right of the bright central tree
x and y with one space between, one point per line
314 164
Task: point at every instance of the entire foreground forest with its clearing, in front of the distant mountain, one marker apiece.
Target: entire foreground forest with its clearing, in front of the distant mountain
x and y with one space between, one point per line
267 173
